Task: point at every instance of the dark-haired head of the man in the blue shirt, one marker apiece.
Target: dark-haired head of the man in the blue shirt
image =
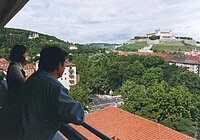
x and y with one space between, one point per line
52 59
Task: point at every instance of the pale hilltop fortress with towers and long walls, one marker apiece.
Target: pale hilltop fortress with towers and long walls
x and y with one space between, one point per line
164 37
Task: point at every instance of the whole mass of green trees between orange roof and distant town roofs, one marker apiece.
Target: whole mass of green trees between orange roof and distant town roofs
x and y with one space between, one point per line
149 86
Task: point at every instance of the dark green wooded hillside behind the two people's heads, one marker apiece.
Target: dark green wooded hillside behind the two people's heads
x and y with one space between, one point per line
10 37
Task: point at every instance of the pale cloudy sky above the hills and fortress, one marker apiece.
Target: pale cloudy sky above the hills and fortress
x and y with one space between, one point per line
111 21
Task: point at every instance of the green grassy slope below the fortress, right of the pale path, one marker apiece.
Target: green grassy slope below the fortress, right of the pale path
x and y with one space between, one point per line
172 46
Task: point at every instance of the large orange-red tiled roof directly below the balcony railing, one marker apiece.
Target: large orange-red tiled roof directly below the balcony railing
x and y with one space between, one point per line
122 125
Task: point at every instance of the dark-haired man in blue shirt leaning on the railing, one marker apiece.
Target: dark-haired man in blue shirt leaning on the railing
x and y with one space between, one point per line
44 104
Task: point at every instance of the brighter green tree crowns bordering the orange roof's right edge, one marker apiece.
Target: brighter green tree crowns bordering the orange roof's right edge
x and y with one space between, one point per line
163 104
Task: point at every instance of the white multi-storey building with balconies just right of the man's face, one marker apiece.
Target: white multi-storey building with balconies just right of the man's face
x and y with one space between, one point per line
69 77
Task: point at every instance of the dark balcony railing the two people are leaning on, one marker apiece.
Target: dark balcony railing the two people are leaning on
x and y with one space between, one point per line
66 131
